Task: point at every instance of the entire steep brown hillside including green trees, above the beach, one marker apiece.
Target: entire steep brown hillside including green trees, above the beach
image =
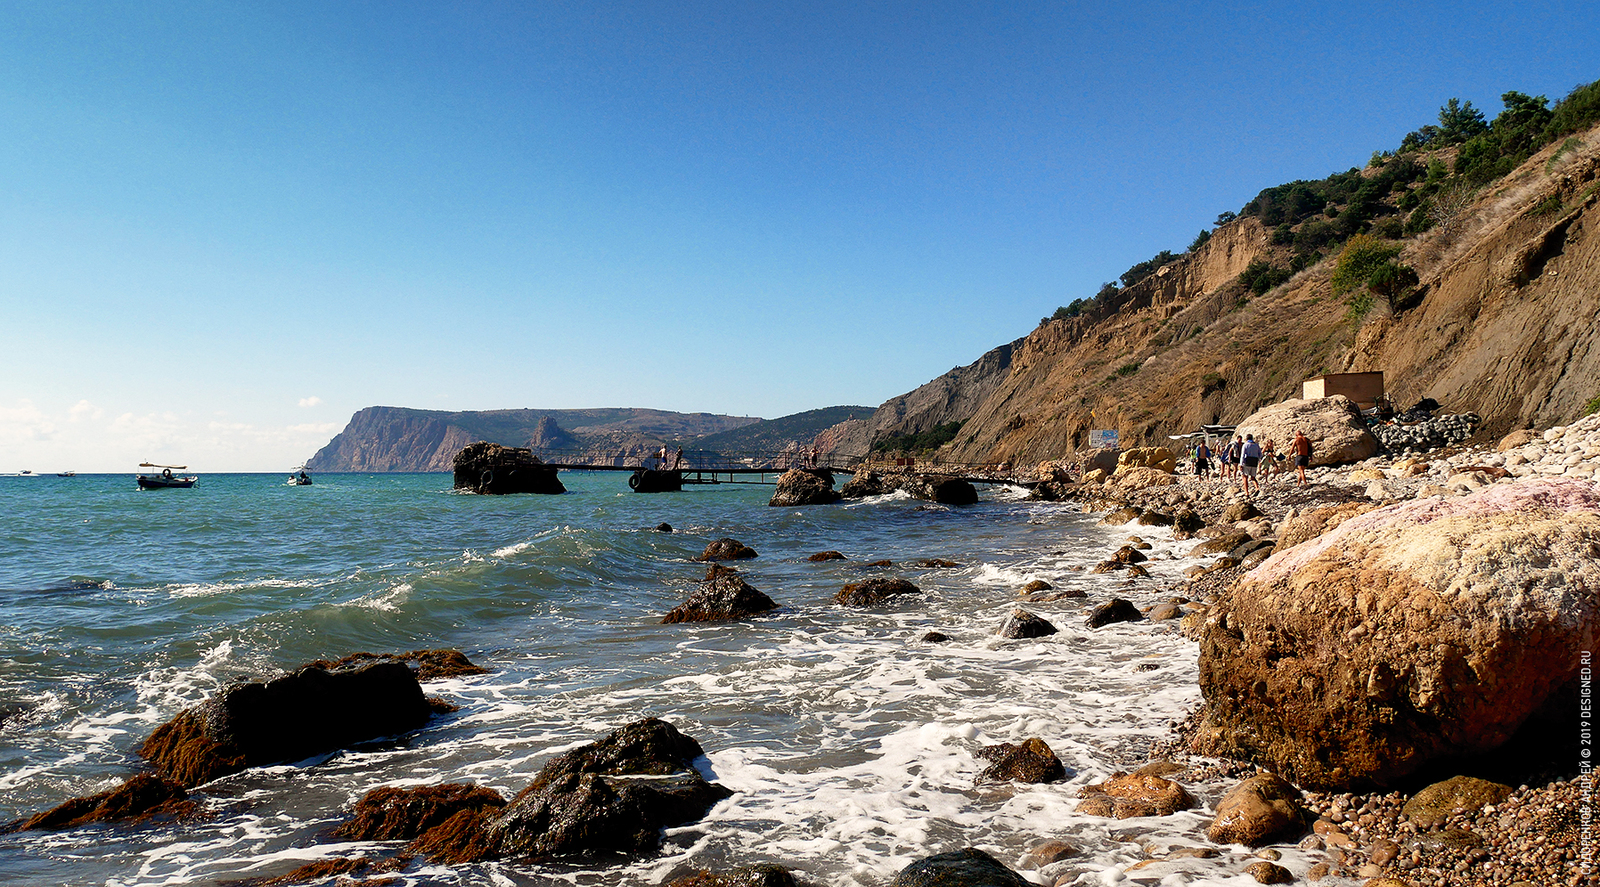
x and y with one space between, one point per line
1462 263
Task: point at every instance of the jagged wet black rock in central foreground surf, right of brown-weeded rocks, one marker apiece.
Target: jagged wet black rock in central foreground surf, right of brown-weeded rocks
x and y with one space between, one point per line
574 808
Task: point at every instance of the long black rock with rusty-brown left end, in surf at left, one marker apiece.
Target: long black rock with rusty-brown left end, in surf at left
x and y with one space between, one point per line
290 718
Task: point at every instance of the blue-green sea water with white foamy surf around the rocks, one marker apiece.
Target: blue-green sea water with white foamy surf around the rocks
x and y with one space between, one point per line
849 742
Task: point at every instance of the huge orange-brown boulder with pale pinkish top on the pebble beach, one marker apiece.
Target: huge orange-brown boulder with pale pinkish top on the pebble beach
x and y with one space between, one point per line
1410 636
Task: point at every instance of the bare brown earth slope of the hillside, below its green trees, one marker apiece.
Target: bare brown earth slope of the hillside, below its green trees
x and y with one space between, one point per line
1505 329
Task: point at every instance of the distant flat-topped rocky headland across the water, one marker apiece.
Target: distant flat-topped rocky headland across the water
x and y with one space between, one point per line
402 439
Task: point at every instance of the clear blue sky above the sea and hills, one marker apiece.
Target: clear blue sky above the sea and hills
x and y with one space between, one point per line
228 227
